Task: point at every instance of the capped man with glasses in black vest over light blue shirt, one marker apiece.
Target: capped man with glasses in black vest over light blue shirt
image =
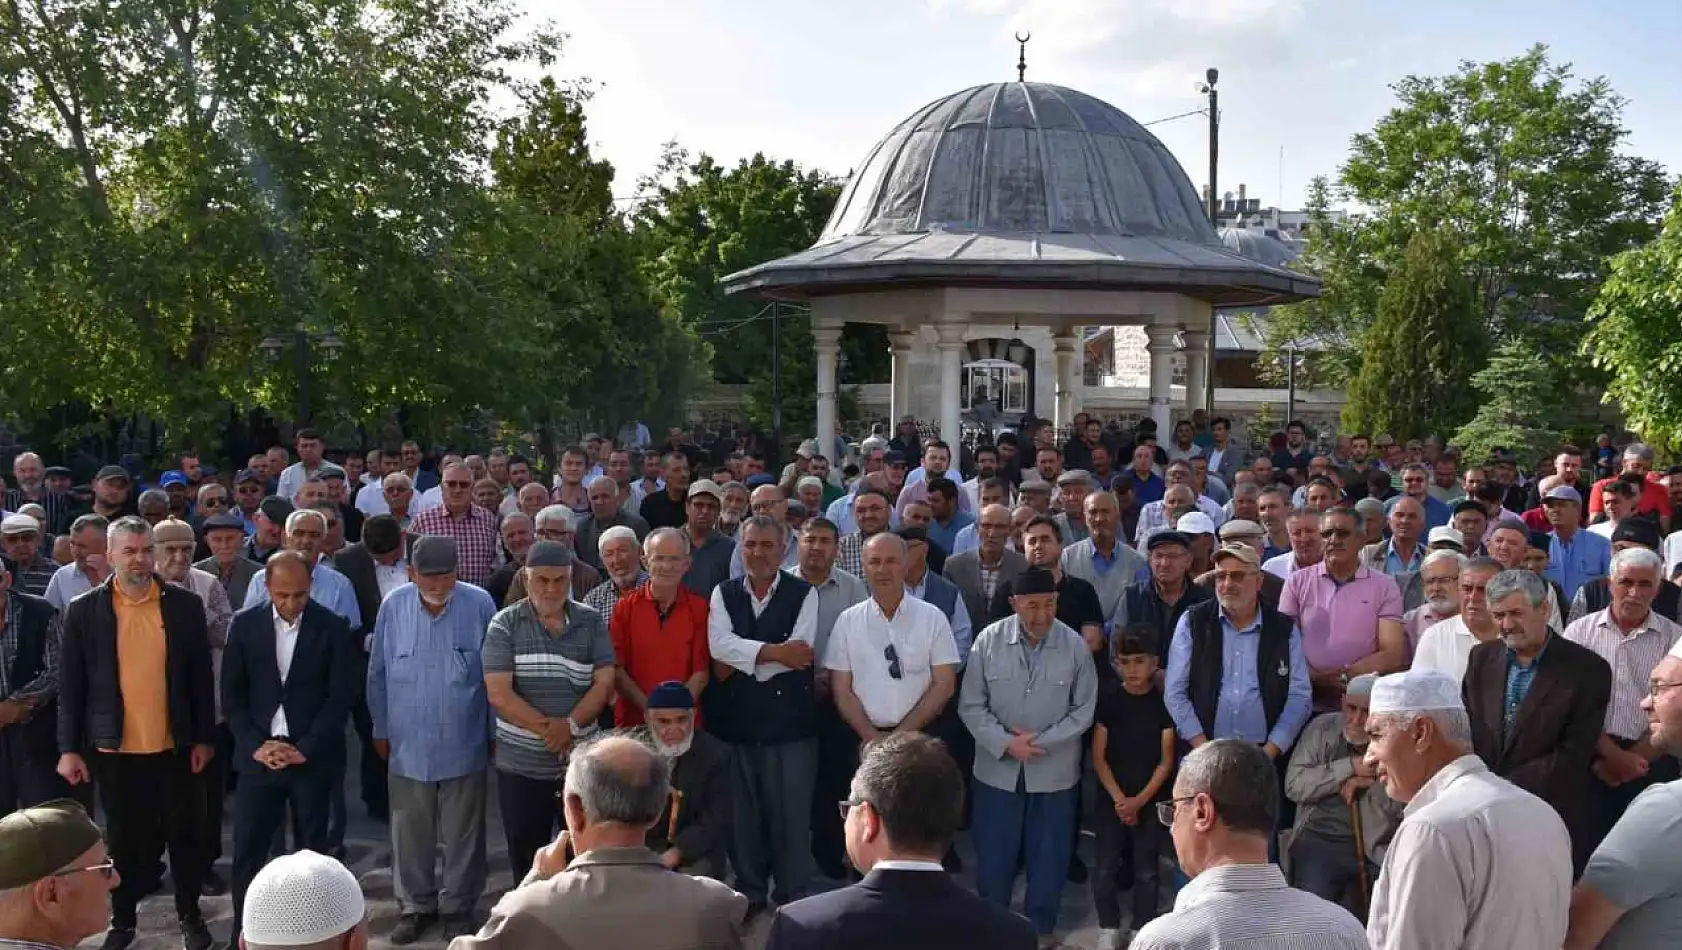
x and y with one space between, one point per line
1272 690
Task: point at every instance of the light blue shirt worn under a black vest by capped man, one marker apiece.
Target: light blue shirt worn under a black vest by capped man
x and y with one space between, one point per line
1239 712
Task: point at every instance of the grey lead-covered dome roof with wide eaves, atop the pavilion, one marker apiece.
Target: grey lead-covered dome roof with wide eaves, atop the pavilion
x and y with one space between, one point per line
1022 186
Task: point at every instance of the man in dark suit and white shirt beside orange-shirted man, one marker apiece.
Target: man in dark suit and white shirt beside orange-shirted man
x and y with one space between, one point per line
288 680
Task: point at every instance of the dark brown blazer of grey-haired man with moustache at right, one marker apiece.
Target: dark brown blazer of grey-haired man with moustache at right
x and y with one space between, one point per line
1552 746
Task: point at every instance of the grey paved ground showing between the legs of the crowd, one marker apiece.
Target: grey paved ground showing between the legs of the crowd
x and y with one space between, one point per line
369 858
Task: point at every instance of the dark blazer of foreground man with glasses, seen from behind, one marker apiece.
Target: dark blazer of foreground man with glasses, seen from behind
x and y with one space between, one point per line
899 910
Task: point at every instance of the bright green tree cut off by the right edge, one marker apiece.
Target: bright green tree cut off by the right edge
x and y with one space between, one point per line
1637 334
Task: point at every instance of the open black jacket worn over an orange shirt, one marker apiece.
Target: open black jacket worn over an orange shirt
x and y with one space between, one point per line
90 699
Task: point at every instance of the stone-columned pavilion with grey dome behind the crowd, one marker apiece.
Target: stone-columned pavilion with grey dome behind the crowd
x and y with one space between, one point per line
995 224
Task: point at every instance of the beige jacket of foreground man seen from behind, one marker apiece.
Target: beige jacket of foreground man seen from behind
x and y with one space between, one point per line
615 899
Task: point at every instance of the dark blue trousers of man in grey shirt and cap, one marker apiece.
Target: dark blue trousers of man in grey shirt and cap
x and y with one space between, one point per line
1005 825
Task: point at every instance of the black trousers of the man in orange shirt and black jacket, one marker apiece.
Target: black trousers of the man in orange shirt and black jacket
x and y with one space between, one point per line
151 805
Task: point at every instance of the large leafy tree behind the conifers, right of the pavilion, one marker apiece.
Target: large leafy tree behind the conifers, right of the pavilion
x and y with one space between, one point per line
1521 162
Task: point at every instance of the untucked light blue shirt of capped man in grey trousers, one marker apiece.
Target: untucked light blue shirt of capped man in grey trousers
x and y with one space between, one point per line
426 683
